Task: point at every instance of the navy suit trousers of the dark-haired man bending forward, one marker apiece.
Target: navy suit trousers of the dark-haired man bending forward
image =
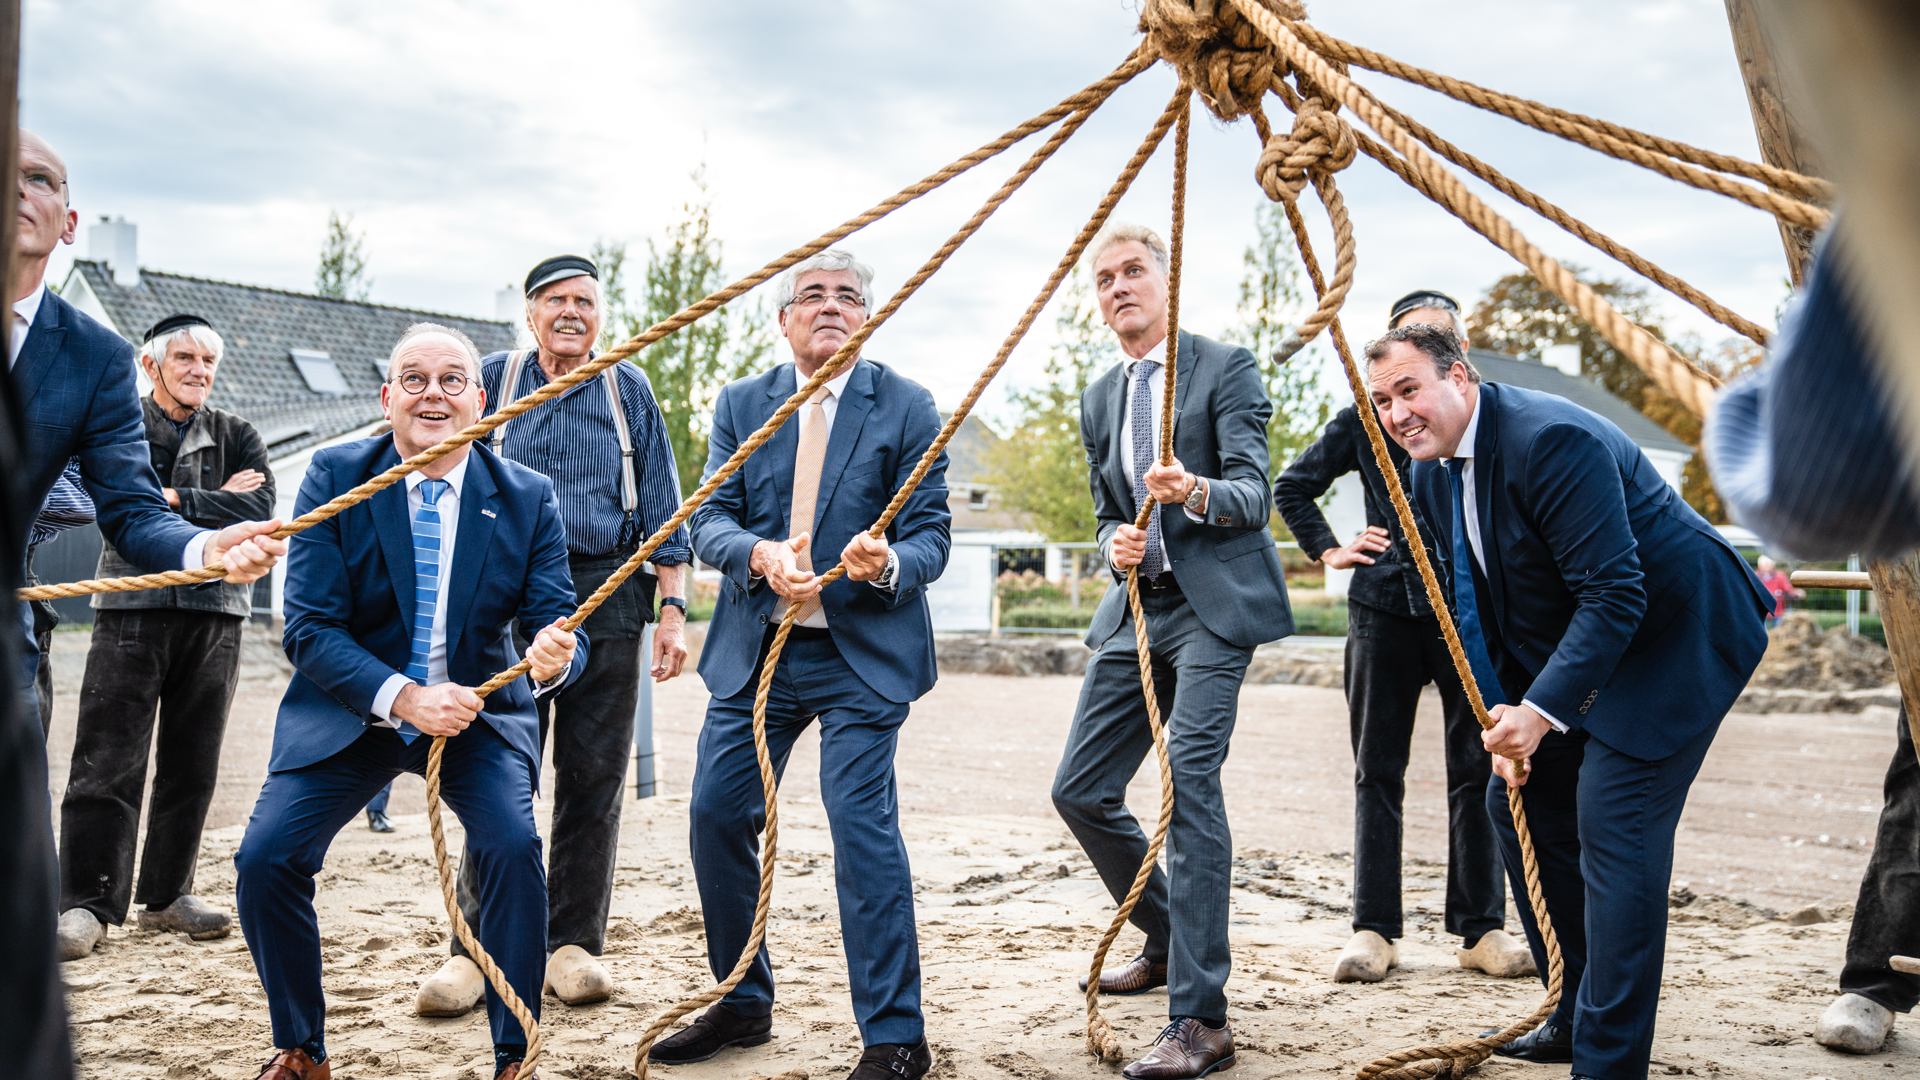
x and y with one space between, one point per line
1604 835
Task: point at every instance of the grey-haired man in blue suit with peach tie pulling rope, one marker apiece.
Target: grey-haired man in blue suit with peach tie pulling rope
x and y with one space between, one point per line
859 654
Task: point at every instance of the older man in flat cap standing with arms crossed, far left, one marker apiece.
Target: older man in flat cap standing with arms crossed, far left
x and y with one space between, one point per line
176 649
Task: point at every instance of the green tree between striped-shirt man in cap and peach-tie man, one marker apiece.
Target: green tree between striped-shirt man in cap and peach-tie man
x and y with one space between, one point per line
690 366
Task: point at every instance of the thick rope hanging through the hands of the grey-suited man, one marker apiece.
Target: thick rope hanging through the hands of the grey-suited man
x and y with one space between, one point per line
1101 1039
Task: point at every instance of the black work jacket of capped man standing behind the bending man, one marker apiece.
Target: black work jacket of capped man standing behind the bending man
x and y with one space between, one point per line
1393 583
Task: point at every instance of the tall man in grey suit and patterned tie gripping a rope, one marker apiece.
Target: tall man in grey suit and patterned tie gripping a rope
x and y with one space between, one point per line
1211 591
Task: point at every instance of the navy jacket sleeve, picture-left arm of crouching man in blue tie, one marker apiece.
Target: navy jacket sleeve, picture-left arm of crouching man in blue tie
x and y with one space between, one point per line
320 637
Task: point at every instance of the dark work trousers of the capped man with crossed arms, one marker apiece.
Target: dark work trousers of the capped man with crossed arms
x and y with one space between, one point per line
189 664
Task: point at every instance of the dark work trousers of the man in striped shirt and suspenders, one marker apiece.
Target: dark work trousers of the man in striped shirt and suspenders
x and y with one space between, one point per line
592 743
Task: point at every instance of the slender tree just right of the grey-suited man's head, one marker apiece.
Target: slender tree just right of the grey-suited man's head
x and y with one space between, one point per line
1270 305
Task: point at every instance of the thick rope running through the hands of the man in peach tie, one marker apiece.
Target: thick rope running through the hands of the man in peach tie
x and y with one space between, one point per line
900 501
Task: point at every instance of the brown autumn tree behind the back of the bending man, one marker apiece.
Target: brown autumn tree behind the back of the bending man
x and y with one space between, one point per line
1520 316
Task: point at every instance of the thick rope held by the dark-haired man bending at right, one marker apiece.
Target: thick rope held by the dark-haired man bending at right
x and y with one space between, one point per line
1452 1060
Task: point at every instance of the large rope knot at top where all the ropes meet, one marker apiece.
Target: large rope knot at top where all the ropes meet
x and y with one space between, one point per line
1216 51
